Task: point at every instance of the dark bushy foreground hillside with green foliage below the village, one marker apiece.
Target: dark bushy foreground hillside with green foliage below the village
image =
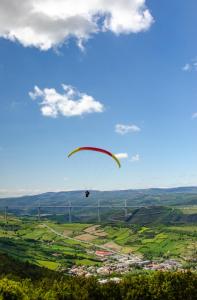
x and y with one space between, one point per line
46 285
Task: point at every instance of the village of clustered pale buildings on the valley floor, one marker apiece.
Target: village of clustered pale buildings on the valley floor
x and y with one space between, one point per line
121 264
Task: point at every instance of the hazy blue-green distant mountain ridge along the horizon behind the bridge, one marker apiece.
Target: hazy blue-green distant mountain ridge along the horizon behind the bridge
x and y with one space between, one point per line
138 197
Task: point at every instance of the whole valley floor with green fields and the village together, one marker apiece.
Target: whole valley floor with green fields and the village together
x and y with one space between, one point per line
89 249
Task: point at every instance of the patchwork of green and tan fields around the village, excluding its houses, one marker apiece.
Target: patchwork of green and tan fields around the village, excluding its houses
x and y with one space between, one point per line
58 246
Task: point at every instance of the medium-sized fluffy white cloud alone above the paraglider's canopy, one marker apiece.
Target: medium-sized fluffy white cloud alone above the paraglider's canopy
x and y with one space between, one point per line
70 103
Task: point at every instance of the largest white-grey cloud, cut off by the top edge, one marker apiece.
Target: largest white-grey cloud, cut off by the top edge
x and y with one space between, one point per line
48 23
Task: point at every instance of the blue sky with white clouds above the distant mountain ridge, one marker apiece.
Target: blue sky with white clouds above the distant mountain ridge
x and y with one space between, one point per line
133 65
